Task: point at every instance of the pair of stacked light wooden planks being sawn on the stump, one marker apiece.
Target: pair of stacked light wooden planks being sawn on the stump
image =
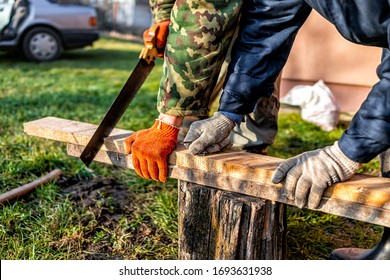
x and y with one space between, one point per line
362 197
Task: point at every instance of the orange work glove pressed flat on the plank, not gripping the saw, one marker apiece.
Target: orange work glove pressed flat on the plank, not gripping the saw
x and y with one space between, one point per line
150 149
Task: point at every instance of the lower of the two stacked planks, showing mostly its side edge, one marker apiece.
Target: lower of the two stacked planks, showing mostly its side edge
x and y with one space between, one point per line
329 204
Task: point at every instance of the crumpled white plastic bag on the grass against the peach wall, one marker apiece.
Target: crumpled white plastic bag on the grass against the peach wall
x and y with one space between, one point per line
317 103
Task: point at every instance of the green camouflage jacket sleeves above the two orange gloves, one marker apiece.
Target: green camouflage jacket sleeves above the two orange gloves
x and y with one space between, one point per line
199 37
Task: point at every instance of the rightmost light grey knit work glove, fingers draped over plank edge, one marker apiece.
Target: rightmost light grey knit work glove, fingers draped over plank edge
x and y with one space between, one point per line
309 174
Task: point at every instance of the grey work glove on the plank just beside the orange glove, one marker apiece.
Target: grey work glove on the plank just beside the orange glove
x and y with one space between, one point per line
209 135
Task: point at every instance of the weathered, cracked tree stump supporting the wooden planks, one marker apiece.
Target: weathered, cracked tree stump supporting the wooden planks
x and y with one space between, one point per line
216 224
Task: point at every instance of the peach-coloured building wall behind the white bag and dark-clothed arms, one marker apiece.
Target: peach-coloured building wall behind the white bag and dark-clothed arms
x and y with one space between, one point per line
320 52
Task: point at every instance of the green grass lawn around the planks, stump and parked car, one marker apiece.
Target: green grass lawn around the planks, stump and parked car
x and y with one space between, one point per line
104 212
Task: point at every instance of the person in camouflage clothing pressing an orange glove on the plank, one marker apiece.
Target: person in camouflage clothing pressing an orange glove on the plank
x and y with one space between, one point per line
200 34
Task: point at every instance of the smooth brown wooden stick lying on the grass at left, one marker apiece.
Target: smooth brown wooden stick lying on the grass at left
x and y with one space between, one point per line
25 189
